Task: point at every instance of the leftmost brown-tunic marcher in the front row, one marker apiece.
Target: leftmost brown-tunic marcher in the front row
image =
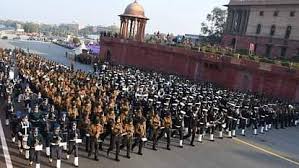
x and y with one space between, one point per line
96 129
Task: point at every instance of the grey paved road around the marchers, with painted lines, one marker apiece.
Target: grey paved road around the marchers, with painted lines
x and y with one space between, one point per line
227 153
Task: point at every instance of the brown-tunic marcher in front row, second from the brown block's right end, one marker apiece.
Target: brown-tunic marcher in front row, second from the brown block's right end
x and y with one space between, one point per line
155 125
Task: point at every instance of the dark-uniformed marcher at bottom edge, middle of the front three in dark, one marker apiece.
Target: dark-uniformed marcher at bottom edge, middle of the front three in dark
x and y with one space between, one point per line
55 145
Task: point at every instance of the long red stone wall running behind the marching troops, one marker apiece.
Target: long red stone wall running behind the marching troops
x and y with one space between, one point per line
227 71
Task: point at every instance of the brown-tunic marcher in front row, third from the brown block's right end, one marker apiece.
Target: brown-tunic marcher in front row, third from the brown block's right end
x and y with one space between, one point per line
140 131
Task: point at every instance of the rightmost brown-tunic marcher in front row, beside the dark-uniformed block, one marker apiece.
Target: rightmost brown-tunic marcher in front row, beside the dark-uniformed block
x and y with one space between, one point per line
166 124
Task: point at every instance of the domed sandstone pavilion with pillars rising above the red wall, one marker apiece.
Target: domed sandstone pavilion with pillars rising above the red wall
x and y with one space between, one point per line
133 22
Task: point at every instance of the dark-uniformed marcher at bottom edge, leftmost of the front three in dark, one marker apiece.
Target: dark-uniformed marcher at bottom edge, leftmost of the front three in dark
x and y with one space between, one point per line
35 142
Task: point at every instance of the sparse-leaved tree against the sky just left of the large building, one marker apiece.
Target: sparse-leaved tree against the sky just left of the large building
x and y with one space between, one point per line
214 26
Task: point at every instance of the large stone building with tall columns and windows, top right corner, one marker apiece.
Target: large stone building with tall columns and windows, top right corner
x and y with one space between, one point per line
270 27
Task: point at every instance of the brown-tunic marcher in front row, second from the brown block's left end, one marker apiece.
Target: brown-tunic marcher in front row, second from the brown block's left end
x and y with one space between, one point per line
117 133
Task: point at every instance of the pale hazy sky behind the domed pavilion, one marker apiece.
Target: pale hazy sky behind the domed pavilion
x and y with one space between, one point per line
167 16
